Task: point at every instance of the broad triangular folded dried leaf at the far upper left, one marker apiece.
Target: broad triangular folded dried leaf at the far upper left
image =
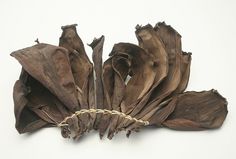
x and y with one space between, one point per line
50 65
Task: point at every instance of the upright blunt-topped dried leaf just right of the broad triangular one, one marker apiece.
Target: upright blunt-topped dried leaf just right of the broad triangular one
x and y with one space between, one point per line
80 64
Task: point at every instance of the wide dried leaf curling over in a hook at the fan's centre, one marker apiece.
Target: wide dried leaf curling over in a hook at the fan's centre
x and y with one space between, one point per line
142 71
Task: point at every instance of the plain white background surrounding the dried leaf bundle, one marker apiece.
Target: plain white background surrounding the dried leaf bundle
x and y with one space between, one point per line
208 30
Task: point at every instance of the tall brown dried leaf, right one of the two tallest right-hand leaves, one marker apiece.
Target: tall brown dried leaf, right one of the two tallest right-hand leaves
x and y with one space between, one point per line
172 41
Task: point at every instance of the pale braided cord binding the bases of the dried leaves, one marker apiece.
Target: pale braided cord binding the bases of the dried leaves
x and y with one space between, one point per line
102 111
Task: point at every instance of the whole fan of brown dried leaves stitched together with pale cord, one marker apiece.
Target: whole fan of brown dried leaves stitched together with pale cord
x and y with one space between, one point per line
138 85
